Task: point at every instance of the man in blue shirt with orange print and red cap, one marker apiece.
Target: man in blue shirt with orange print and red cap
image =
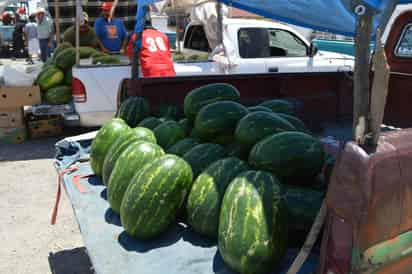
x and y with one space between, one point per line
111 31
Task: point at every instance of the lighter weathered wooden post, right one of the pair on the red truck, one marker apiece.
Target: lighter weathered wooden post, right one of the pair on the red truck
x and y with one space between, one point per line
379 89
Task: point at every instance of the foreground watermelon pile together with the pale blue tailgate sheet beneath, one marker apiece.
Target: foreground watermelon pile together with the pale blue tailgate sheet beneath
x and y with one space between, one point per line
199 186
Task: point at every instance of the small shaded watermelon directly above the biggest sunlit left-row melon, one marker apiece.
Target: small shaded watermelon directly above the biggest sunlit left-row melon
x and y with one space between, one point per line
168 134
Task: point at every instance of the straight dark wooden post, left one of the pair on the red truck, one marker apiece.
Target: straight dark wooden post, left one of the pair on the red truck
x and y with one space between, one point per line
361 78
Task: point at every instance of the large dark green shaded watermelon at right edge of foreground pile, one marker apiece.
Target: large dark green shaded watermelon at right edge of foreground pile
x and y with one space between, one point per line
290 156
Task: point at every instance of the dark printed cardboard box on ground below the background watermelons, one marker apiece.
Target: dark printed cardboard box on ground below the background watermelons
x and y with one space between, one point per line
45 126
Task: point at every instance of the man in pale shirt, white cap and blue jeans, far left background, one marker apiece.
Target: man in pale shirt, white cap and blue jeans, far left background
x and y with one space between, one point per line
45 34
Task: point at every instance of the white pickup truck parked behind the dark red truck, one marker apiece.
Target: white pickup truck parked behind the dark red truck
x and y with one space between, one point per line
254 46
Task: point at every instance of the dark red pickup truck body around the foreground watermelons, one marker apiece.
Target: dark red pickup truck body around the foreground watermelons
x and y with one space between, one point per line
369 199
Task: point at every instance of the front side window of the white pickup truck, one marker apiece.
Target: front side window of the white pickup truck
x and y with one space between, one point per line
265 43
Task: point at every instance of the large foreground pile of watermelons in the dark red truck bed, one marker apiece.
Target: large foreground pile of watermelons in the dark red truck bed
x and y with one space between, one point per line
244 176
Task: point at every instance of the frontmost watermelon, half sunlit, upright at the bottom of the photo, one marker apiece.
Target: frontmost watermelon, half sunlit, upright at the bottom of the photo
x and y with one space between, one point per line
252 235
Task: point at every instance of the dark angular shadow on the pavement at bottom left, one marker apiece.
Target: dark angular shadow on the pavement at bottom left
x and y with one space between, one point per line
70 262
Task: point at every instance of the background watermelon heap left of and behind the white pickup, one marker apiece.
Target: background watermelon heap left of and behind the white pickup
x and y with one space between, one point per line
55 78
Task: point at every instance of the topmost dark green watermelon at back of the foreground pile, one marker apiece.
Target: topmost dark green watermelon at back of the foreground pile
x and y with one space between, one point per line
202 96
